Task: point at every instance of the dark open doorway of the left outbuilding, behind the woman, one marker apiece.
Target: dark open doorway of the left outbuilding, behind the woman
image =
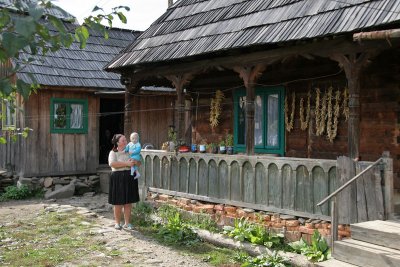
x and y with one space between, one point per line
111 122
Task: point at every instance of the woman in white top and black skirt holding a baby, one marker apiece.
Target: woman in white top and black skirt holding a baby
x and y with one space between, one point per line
123 188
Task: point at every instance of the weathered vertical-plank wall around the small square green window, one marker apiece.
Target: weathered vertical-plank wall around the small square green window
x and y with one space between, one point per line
46 153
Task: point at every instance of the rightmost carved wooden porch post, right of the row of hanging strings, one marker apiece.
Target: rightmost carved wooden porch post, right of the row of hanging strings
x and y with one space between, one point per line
353 65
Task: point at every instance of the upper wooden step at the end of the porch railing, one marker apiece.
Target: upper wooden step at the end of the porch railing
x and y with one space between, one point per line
384 233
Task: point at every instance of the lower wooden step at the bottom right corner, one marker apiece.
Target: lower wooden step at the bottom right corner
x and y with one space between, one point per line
365 254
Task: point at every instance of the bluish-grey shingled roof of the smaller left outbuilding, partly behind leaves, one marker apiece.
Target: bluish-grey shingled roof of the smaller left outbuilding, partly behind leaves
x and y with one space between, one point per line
75 67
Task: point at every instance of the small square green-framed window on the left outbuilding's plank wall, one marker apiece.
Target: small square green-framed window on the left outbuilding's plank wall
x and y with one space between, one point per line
68 115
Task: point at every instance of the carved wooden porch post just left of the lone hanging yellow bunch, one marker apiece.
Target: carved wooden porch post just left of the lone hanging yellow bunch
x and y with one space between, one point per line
179 81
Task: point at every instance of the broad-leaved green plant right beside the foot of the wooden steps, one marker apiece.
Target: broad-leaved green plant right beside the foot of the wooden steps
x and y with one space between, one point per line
316 252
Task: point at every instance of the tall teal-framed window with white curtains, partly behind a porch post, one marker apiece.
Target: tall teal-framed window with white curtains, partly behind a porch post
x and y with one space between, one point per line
268 120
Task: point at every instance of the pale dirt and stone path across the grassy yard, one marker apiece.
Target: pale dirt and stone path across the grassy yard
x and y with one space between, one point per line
138 250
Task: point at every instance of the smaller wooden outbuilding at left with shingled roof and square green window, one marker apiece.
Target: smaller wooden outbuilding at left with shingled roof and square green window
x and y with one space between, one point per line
74 114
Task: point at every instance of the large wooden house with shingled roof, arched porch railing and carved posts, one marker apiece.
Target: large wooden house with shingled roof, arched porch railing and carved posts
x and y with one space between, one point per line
306 80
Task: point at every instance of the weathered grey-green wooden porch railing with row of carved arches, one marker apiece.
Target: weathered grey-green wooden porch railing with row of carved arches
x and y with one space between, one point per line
290 186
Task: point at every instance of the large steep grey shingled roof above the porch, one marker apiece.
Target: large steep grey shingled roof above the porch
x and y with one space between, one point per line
199 27
